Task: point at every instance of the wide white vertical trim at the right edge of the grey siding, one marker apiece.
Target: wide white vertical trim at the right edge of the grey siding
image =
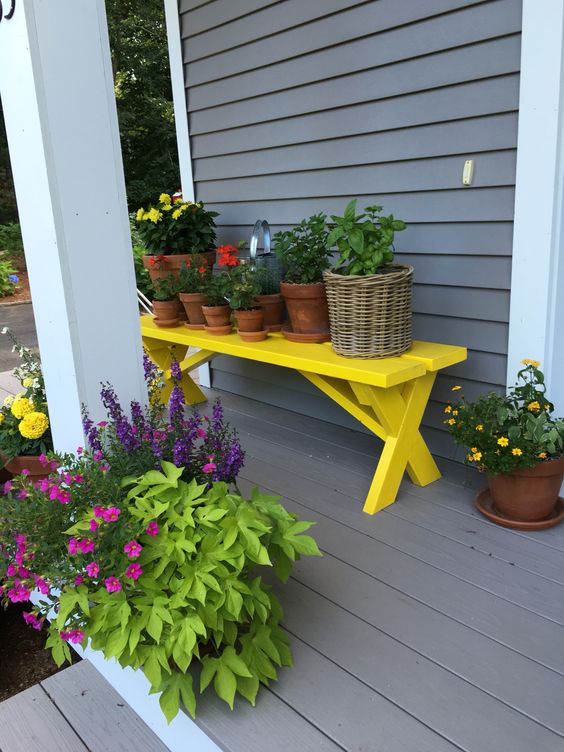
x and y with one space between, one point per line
537 281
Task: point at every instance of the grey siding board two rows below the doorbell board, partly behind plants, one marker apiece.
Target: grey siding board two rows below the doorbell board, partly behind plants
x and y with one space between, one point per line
463 238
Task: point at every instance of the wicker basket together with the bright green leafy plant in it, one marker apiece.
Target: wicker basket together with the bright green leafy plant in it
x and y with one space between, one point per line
369 297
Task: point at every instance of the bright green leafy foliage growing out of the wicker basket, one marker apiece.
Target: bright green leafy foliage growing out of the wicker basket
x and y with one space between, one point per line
365 241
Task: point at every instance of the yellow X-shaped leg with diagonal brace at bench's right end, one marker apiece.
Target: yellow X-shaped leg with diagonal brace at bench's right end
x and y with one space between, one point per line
394 414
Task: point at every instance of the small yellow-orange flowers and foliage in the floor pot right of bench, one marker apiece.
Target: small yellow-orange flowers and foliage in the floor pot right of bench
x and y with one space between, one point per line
506 432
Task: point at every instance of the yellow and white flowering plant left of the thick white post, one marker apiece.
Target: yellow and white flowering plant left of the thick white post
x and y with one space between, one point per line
24 420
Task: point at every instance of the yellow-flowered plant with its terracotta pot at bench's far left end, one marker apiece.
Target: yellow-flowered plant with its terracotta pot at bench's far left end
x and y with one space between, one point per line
173 231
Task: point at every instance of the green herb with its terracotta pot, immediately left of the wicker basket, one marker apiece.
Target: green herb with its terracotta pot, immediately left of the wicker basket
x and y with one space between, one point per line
304 255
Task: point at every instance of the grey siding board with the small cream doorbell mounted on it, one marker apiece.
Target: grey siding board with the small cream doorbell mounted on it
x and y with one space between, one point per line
410 176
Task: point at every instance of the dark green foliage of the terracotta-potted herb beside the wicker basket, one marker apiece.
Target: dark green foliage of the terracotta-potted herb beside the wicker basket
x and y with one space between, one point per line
303 250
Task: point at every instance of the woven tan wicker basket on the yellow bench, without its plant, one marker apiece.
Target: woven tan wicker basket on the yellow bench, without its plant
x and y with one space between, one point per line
370 315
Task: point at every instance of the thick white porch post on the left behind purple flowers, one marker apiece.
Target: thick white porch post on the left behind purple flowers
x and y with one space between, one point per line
58 99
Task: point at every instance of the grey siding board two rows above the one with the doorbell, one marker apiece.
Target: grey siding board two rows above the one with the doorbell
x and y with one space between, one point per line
475 99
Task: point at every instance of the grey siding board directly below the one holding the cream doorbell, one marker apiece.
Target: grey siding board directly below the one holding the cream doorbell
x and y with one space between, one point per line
491 204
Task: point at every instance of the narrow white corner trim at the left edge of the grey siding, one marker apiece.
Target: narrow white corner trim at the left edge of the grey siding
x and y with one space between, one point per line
172 14
